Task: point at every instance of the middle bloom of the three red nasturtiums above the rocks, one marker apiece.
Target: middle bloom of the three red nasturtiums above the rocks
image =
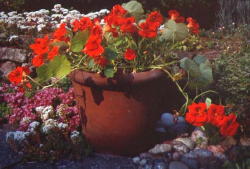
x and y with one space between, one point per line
216 114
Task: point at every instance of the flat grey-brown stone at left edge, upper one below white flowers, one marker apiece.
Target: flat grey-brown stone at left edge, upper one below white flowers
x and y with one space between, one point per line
13 54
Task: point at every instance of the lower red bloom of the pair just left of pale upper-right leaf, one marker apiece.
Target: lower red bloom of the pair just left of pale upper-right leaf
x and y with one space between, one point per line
147 30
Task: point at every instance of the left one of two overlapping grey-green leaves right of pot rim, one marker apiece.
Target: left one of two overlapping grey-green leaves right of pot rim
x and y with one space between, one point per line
191 67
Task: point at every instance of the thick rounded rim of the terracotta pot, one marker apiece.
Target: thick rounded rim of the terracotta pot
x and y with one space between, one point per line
97 80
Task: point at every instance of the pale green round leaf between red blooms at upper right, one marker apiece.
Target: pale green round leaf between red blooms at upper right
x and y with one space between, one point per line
174 31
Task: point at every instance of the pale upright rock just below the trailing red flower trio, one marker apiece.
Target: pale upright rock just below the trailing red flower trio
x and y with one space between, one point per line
200 138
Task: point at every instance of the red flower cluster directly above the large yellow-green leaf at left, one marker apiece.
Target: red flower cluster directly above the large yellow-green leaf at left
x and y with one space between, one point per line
43 50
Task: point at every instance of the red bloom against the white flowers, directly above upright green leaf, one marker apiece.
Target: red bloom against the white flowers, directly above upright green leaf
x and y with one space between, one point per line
82 24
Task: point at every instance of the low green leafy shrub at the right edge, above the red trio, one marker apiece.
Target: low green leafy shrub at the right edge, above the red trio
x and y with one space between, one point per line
233 79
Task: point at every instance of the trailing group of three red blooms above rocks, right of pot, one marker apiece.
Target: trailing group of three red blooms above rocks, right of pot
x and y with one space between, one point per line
199 114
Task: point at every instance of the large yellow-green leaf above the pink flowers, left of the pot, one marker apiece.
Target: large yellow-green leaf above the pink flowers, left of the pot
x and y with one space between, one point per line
58 68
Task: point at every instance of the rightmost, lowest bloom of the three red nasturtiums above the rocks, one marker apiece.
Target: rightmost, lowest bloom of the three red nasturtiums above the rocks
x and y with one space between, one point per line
229 125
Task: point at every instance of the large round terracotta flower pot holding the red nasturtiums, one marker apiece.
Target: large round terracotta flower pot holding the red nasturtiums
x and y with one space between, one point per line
119 114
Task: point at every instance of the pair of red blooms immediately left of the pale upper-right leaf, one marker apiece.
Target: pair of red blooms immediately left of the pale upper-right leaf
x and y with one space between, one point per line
148 29
